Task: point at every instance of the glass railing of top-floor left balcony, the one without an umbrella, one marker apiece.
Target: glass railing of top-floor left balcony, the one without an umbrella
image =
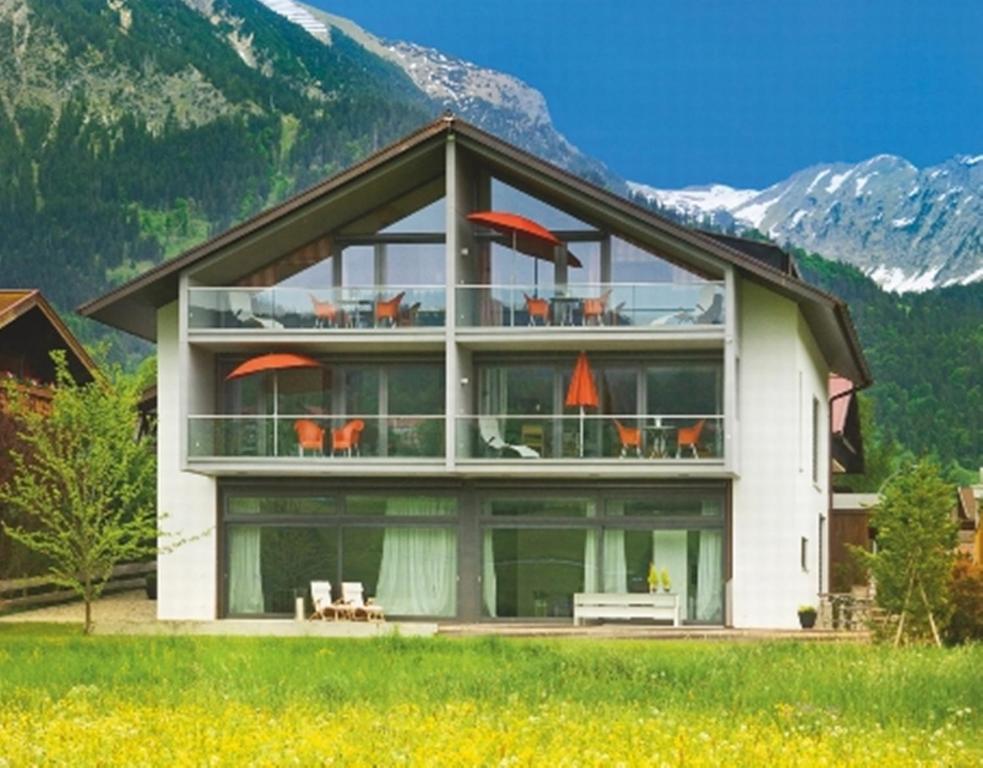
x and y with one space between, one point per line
379 306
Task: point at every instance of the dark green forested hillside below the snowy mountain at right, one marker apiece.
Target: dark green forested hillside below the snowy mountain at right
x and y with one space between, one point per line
926 354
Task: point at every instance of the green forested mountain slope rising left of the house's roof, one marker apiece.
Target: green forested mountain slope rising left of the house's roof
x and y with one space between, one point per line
130 131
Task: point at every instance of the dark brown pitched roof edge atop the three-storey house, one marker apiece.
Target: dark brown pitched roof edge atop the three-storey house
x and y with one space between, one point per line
158 286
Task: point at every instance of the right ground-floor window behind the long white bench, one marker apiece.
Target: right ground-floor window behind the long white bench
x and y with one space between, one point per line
538 552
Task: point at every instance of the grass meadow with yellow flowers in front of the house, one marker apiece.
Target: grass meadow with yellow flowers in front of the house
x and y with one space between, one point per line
70 700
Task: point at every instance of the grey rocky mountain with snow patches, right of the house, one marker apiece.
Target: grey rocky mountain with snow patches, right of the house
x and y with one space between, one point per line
910 229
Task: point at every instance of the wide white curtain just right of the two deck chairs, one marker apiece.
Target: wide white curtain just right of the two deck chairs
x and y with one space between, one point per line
418 573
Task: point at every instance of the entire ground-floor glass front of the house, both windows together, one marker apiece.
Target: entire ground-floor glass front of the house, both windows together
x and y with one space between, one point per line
476 552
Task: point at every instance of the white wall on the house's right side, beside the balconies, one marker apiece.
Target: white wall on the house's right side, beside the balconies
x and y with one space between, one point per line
776 502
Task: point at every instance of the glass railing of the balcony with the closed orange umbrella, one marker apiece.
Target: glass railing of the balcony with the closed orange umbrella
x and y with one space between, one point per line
692 437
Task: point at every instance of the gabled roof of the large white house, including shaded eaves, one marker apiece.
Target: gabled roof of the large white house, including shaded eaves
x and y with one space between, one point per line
131 306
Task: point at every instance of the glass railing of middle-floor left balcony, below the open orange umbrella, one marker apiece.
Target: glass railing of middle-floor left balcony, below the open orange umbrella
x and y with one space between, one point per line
348 437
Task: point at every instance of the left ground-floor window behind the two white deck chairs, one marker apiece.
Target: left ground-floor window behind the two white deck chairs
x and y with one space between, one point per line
401 548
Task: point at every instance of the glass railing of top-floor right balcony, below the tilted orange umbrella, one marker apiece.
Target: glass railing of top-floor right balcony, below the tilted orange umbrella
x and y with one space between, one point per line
635 305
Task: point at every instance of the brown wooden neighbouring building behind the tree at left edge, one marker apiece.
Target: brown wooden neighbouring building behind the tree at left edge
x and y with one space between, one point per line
30 330
